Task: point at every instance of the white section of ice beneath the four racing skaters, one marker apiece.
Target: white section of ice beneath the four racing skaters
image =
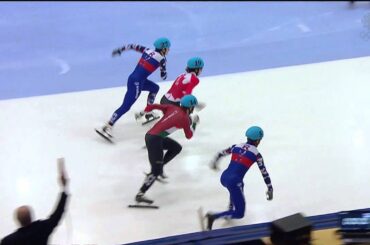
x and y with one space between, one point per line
316 120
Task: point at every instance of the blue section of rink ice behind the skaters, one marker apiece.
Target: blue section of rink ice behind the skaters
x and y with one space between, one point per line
57 47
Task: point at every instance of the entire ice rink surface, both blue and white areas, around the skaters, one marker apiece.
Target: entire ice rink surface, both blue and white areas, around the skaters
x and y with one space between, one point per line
298 70
